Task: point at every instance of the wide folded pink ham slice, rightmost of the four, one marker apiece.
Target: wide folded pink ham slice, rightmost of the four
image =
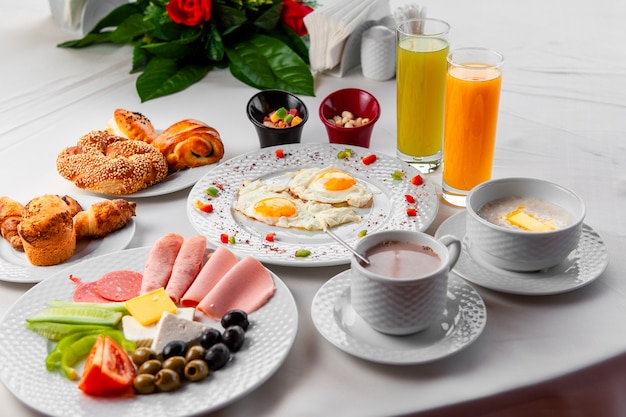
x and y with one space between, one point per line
246 286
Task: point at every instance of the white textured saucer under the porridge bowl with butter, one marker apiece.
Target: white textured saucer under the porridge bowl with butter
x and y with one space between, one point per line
583 265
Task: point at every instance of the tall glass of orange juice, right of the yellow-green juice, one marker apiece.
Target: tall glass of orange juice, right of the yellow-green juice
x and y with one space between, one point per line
471 115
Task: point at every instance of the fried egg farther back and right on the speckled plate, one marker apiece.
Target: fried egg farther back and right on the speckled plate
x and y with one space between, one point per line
329 185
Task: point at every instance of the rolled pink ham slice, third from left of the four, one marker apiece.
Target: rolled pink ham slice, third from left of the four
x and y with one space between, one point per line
216 267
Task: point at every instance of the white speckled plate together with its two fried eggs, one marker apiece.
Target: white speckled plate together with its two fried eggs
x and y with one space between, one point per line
246 231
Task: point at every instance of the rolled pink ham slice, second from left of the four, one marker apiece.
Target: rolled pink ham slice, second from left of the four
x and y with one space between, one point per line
187 265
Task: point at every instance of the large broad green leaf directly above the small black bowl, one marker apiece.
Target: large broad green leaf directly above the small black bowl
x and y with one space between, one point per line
264 62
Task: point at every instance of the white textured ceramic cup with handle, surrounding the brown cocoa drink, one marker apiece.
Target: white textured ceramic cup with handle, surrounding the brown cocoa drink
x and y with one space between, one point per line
401 306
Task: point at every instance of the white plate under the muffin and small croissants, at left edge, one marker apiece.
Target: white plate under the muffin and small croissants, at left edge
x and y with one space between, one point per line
15 267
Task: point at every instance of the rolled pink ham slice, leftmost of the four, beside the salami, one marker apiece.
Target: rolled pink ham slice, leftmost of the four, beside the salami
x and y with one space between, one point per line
160 261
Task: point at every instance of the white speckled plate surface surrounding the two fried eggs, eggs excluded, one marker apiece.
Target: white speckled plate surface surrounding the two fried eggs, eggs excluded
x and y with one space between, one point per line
388 210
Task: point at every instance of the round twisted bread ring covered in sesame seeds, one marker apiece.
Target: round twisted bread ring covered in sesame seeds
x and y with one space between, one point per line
109 164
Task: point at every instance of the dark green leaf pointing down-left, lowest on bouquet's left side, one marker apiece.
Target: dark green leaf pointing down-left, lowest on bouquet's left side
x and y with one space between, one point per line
164 76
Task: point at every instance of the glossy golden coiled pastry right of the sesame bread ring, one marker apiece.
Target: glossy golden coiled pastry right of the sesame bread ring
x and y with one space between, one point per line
188 144
